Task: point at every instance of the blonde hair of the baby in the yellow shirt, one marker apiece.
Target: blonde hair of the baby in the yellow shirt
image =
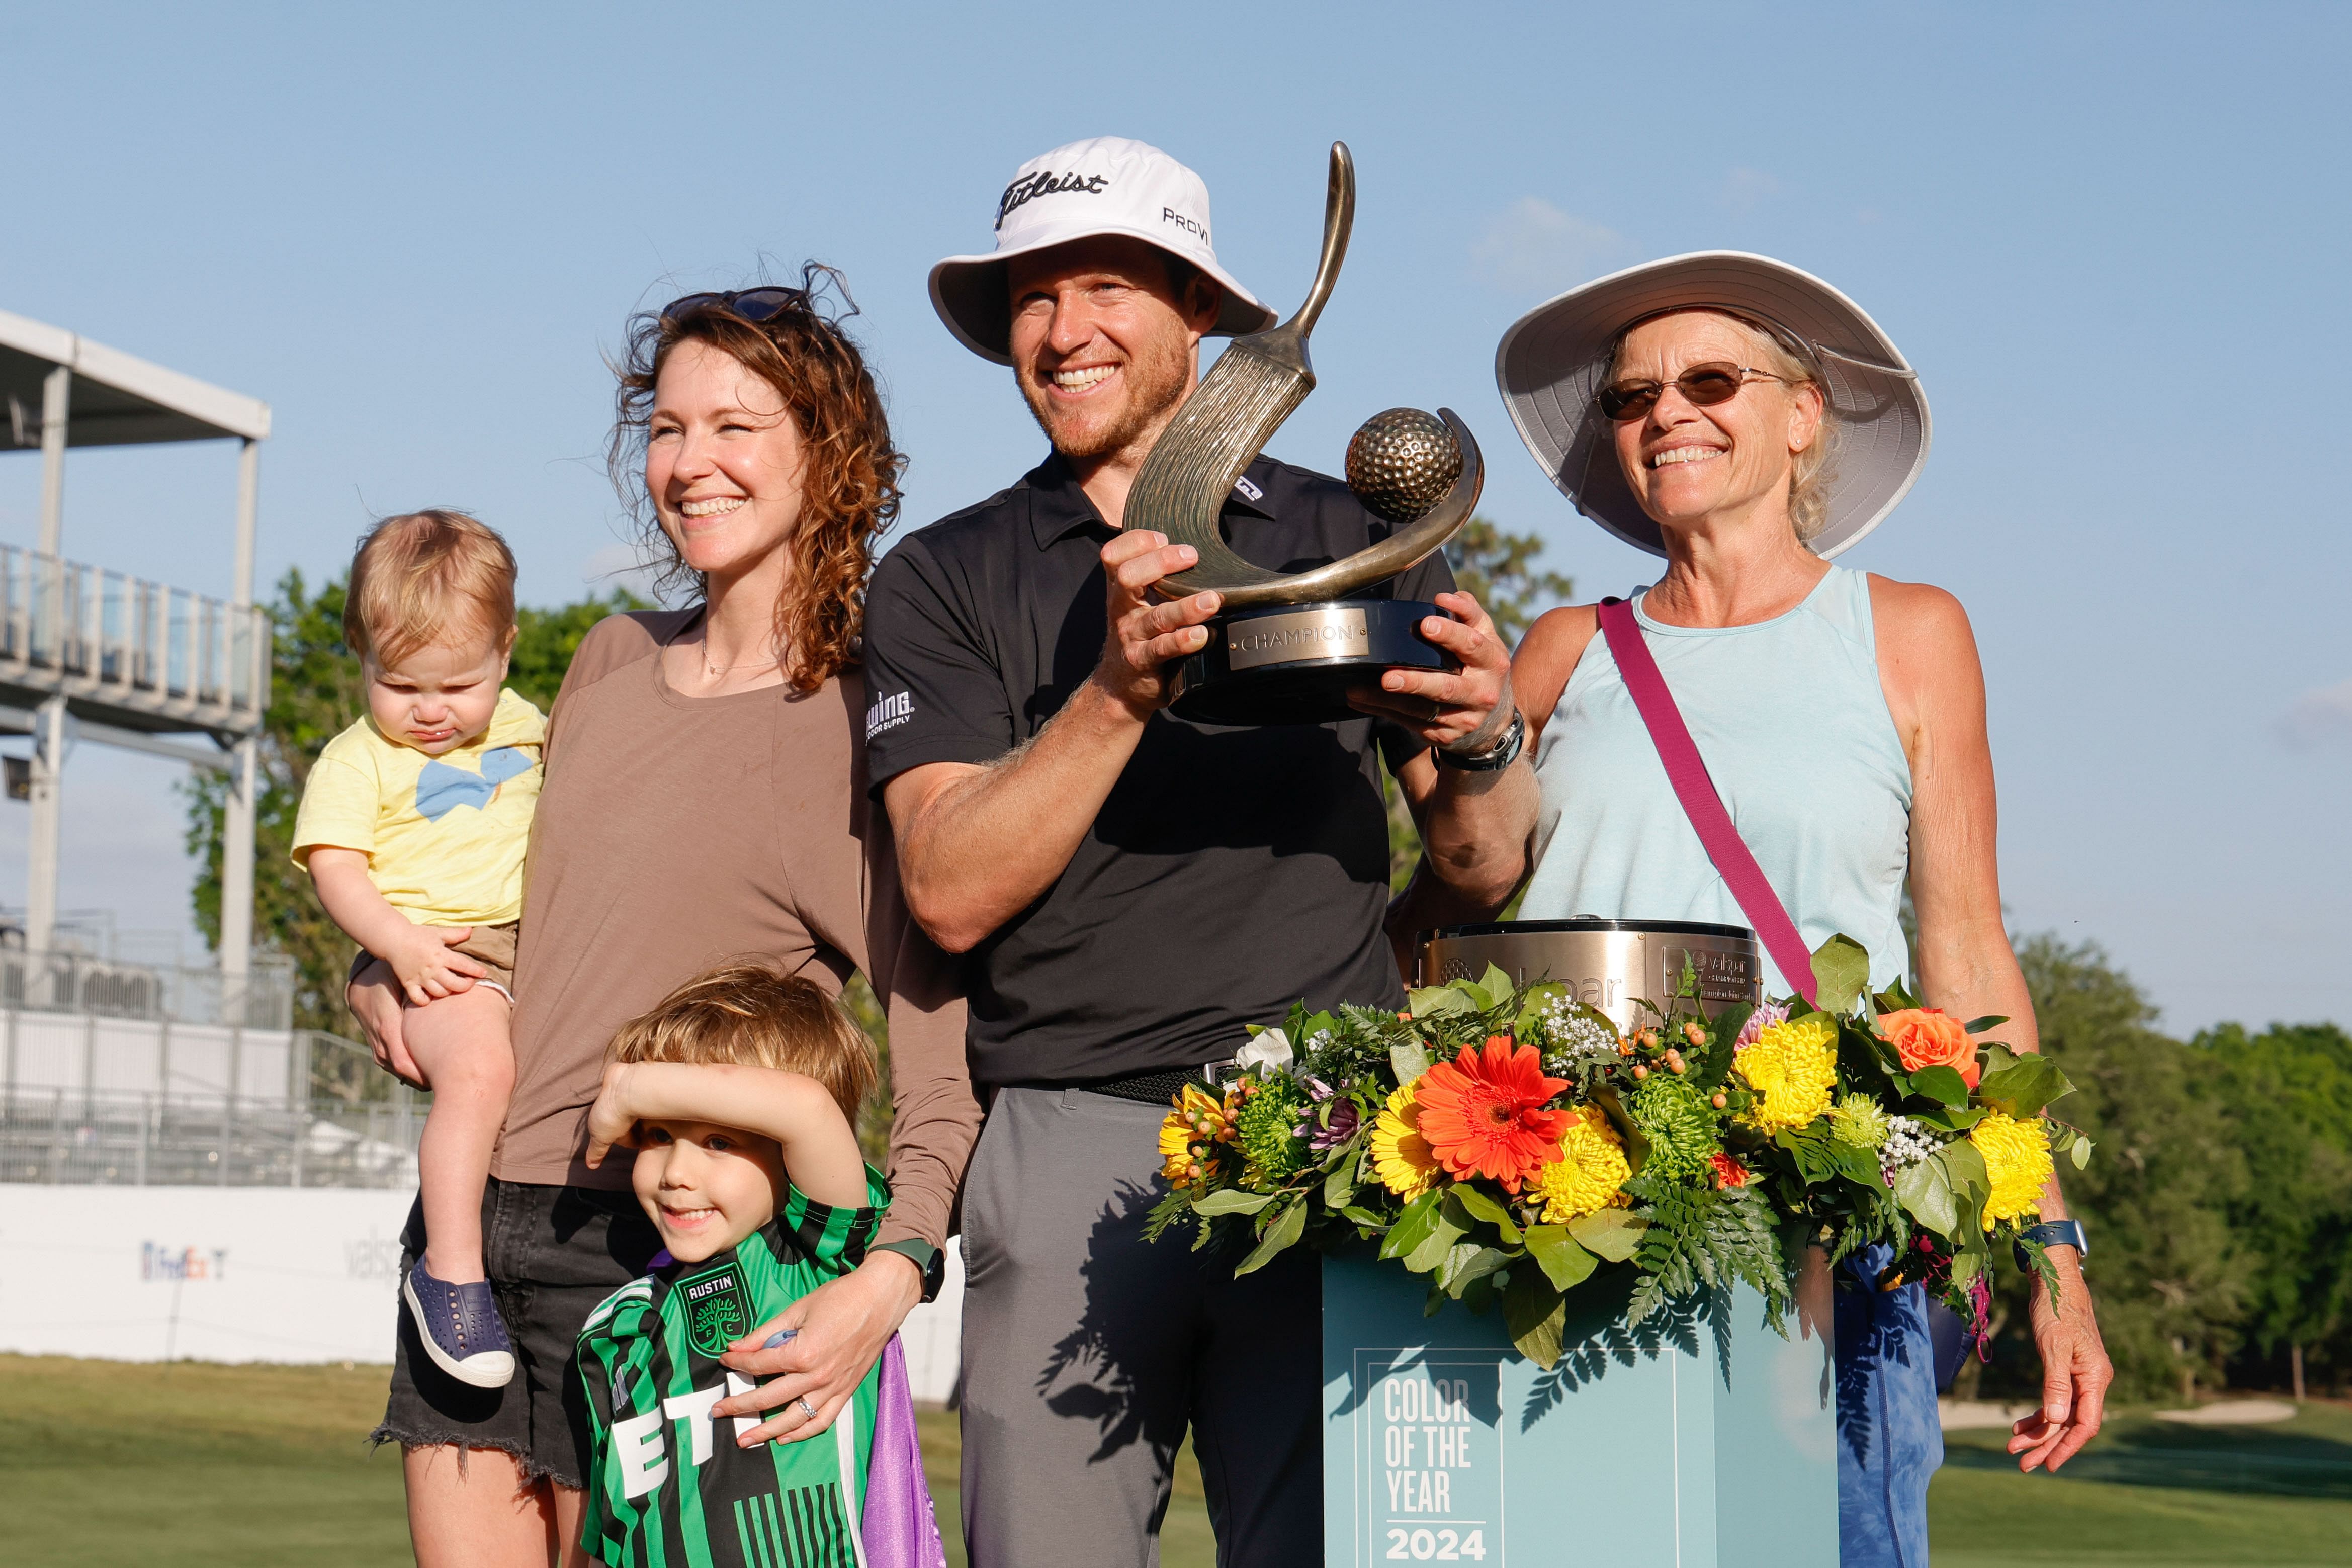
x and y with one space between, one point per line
425 577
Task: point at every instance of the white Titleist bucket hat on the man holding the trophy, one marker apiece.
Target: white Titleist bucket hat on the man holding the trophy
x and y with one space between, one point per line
1102 187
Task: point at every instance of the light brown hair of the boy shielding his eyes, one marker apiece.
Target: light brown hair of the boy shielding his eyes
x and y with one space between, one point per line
749 1014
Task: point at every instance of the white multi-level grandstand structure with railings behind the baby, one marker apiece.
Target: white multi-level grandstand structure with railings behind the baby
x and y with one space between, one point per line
135 1073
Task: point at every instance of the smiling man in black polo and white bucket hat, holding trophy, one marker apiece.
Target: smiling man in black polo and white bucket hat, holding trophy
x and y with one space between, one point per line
1130 887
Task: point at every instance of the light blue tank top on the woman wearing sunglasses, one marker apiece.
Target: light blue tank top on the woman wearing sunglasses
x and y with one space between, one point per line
1796 732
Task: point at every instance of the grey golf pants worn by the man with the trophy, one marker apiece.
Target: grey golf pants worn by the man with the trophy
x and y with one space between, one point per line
1090 1351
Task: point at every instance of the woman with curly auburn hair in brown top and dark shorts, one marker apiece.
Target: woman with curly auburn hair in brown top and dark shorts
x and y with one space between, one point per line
704 798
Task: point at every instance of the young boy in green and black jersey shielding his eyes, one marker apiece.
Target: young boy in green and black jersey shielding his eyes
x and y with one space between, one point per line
737 1094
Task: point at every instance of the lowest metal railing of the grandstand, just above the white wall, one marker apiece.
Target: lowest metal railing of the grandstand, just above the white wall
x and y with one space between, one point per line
69 1137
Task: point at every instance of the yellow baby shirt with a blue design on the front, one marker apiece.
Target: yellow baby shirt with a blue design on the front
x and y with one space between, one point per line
443 836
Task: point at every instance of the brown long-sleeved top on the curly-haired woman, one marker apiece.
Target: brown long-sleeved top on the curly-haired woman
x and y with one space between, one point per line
676 833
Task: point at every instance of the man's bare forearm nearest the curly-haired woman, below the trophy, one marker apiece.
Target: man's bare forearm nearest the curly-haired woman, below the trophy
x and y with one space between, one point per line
987 845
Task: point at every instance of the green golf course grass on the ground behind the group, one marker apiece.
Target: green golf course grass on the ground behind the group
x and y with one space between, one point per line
109 1463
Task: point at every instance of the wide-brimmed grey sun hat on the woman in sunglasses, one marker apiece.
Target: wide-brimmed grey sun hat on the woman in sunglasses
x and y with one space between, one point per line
1553 361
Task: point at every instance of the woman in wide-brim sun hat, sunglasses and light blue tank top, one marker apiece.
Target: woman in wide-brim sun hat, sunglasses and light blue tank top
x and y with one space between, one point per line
1749 422
